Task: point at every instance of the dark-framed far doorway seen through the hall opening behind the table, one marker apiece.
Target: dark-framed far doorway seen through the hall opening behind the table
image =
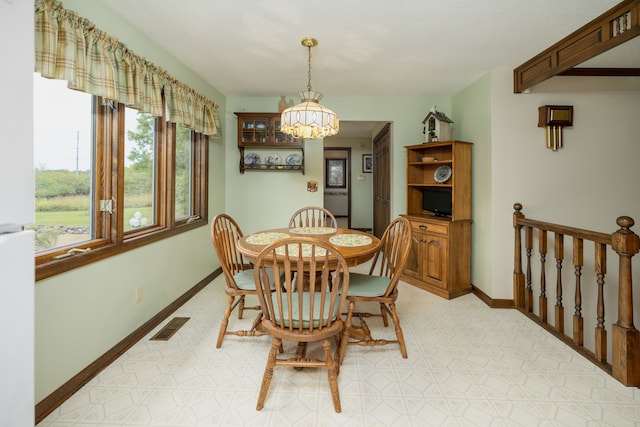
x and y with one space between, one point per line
337 188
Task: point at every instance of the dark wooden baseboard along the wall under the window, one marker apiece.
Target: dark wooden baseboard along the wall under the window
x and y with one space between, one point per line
65 391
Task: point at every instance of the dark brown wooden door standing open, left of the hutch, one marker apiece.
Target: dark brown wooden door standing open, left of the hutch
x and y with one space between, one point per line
381 182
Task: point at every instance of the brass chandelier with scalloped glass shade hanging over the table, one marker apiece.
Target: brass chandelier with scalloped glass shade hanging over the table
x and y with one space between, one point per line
309 119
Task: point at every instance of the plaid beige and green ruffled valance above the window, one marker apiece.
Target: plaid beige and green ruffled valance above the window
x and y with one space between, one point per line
69 47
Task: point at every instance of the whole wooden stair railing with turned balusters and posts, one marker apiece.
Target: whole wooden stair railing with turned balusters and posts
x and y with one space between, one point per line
625 339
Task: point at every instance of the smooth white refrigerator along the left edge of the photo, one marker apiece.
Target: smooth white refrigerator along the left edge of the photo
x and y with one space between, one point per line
16 209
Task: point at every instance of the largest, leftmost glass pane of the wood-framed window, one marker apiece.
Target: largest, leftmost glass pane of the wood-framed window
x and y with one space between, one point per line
63 139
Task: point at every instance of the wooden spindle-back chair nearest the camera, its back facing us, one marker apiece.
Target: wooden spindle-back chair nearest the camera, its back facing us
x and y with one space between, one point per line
300 310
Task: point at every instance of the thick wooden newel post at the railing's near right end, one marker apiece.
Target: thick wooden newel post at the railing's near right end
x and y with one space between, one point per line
625 337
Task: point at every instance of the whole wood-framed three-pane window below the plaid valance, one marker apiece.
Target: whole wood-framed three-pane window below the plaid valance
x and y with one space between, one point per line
94 156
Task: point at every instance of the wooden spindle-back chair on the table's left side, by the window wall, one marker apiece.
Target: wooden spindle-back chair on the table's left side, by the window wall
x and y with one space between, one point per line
238 275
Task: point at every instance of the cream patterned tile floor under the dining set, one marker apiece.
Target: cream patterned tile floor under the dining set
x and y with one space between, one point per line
468 365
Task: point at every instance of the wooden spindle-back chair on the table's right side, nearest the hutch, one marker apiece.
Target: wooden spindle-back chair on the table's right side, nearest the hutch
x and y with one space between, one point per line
381 286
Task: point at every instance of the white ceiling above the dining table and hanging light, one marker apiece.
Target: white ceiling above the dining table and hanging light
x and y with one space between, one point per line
366 48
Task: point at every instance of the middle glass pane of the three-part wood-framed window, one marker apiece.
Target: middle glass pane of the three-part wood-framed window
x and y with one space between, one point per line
140 166
